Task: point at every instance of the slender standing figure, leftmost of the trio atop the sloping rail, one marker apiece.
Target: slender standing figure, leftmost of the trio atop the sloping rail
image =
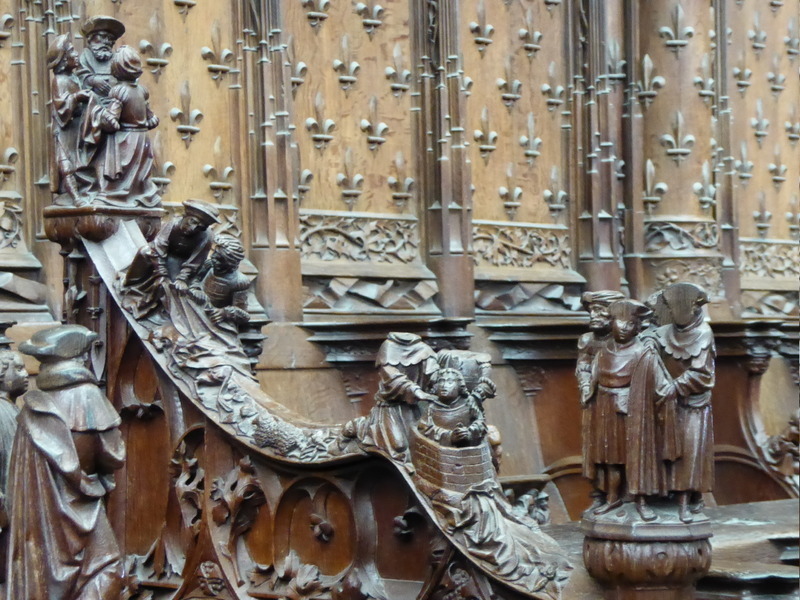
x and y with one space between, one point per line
67 105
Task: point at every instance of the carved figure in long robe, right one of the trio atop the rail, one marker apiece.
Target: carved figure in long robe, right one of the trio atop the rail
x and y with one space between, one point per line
123 165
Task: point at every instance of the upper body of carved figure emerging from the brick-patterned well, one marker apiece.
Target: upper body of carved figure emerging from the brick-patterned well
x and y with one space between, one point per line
454 418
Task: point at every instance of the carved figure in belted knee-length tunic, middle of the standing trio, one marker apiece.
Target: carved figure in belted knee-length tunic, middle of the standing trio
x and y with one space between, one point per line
612 371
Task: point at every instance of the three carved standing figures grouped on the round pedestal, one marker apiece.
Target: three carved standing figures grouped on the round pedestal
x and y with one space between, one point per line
646 395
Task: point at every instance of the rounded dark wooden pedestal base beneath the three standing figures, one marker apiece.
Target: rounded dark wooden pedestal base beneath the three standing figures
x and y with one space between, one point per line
638 560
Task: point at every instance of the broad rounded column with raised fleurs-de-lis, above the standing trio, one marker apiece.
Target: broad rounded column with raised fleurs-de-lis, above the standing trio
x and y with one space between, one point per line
672 232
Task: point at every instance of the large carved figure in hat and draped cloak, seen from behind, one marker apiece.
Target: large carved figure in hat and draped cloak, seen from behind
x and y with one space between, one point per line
66 449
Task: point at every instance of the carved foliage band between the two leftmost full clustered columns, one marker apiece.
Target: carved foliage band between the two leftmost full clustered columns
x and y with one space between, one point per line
361 237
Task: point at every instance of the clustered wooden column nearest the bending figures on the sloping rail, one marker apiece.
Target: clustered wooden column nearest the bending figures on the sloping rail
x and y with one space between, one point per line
273 209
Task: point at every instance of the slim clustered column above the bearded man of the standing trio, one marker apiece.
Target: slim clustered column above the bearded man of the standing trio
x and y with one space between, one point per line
600 33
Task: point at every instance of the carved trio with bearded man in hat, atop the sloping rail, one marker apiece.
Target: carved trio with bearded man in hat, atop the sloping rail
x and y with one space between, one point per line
100 119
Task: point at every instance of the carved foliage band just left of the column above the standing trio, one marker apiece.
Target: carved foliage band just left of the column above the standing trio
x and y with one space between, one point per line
498 244
